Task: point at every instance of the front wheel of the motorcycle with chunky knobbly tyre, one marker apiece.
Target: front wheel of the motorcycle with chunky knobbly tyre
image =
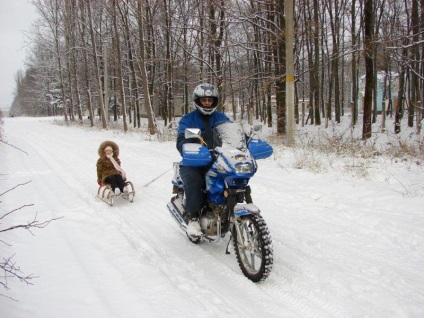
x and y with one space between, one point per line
253 246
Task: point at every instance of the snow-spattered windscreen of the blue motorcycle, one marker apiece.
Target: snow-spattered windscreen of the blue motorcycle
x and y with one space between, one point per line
229 135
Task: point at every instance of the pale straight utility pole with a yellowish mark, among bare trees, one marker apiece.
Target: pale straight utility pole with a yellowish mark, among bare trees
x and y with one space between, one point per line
289 8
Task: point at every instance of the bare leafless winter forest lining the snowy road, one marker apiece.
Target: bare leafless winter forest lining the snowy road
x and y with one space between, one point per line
104 60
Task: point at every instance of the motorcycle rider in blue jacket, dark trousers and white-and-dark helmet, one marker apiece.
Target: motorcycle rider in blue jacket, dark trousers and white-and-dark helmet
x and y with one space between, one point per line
205 117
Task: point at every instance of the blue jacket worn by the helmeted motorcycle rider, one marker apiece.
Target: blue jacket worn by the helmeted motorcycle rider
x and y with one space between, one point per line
195 119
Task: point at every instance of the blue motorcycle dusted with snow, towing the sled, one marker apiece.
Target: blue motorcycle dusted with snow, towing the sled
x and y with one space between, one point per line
228 205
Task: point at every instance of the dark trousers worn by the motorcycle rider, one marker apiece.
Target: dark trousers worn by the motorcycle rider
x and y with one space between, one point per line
194 184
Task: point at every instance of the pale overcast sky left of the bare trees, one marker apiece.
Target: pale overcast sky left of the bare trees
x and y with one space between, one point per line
16 17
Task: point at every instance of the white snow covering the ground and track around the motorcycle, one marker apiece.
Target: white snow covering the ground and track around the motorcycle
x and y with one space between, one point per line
347 233
